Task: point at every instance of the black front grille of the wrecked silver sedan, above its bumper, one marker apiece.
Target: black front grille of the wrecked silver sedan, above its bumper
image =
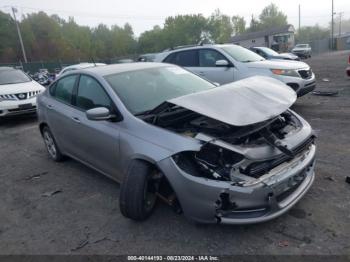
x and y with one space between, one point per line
258 169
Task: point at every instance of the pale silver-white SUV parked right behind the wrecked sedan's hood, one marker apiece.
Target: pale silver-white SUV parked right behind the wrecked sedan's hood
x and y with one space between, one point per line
227 63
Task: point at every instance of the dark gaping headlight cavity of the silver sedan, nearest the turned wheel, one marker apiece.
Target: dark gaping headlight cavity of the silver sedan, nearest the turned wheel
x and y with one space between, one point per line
211 162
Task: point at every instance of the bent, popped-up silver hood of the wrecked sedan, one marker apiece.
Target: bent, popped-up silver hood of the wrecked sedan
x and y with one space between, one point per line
245 102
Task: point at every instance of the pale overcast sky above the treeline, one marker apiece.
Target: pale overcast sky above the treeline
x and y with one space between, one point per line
144 14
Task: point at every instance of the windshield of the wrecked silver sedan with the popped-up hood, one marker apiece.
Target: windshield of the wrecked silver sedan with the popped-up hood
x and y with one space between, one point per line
143 90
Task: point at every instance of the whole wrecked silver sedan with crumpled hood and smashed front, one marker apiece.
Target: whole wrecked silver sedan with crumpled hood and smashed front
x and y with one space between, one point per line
234 154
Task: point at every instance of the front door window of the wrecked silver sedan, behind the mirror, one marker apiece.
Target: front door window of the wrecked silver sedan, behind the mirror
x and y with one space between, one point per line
91 94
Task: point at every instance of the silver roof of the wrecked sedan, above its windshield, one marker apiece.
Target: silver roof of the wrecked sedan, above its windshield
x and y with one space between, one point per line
120 68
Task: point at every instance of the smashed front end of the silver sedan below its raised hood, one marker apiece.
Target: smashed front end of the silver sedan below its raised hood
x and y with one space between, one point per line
241 175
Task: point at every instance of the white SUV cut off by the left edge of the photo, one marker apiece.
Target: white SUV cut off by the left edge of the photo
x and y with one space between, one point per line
17 92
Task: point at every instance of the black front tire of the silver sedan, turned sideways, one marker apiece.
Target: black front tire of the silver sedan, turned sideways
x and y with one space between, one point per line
138 191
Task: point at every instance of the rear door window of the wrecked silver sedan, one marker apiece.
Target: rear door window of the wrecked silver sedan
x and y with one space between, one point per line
63 90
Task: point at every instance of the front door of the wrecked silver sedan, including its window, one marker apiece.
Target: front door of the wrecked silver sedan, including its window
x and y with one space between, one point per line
97 141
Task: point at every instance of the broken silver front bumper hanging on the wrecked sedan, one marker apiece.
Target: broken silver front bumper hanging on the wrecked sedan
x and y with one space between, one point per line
210 201
